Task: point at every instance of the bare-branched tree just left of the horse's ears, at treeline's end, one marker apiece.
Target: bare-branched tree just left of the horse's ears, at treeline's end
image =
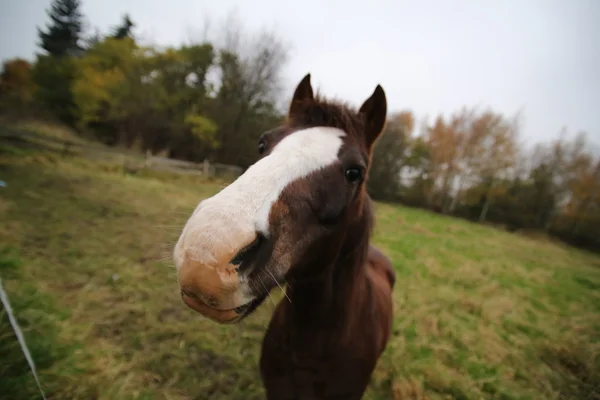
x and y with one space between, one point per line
243 101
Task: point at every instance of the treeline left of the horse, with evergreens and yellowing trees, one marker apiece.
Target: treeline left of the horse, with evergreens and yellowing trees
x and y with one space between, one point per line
200 100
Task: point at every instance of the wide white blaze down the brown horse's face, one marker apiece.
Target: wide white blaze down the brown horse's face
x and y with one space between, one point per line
243 208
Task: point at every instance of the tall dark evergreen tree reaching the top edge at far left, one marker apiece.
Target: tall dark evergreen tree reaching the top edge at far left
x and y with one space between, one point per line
63 33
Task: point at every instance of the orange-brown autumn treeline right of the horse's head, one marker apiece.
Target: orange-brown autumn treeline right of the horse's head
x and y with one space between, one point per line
473 164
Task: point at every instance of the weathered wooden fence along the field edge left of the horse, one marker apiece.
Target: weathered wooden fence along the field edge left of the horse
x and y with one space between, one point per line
129 160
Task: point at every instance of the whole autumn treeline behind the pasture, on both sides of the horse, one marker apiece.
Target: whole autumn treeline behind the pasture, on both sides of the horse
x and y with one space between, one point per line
212 99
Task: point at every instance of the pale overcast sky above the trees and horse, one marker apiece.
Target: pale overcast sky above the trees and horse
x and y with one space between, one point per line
430 56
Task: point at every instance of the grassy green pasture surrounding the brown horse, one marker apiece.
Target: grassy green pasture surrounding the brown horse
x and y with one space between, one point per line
480 313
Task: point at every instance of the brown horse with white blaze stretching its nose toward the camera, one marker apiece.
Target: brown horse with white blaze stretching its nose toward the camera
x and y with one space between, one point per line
300 216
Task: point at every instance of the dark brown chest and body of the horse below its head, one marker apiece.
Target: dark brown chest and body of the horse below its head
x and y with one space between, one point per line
330 353
